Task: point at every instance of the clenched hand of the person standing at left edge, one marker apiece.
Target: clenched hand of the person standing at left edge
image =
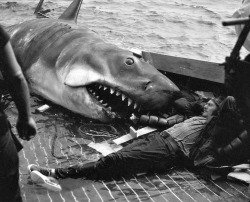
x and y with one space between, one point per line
26 129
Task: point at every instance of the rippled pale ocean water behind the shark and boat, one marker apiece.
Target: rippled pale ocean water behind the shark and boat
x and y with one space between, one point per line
183 28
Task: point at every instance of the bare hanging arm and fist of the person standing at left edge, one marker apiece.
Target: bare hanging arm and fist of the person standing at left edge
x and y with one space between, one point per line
19 91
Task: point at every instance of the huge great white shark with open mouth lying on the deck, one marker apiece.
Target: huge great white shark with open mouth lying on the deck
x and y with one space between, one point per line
73 67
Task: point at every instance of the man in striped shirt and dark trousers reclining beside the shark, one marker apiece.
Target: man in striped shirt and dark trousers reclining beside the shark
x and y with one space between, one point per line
199 140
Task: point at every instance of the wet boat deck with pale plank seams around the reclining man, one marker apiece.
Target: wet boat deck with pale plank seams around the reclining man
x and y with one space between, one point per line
60 142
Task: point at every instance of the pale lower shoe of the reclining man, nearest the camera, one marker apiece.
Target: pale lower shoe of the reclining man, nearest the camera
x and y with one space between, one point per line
44 181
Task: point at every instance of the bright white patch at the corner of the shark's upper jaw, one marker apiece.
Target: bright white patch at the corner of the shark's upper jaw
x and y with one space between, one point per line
81 77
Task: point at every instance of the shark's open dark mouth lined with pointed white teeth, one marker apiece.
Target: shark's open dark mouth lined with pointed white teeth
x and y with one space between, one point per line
114 102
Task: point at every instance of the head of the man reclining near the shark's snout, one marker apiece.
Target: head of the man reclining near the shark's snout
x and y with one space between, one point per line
212 107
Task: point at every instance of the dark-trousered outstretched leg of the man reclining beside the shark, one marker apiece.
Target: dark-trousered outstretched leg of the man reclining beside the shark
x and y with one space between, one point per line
143 155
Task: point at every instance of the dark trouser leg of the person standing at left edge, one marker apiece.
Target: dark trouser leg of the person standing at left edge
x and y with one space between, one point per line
9 169
